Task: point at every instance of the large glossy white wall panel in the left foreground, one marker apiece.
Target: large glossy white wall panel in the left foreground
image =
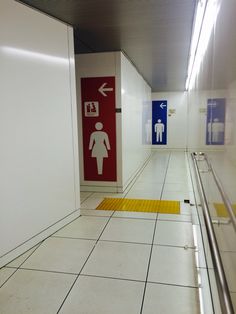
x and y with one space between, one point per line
39 183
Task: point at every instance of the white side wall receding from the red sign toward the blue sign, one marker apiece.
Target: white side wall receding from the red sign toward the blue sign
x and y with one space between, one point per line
136 106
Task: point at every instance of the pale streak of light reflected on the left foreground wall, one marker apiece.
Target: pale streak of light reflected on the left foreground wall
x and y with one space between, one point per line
34 55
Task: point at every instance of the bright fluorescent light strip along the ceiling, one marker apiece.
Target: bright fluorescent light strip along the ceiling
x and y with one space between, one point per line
205 19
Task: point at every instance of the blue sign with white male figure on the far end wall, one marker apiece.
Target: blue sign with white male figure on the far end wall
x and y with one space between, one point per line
159 122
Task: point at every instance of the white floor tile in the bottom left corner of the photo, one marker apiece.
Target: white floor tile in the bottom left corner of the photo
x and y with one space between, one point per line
34 292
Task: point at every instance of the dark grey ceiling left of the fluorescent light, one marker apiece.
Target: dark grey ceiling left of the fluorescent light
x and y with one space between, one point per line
154 34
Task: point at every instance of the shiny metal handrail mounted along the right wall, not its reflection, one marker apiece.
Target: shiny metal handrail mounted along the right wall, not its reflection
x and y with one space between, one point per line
223 289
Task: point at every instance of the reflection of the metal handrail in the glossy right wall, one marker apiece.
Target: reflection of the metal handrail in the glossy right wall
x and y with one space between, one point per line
225 198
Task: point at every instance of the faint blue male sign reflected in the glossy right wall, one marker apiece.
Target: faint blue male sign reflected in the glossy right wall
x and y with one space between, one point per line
215 128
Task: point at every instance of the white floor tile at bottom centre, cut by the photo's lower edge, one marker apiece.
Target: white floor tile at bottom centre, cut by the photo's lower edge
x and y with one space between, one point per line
104 295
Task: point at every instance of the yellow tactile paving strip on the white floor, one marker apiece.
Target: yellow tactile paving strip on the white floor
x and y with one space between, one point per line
140 205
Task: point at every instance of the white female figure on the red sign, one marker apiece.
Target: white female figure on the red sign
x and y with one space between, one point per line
99 144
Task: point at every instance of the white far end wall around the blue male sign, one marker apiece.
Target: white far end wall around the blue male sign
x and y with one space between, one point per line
176 122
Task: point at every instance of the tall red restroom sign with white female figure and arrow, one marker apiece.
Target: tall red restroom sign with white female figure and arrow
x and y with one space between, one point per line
99 128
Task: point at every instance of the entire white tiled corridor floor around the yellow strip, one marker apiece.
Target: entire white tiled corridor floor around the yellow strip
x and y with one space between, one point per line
109 262
